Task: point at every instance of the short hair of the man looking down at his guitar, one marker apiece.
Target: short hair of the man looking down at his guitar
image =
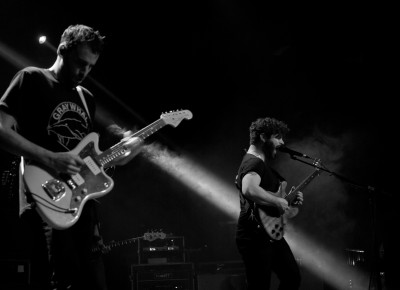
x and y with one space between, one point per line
79 33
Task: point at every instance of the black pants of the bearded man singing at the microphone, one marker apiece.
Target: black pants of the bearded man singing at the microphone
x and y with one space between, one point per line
261 257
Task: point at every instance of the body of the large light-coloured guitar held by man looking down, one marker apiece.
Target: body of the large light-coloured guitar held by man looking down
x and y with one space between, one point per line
59 199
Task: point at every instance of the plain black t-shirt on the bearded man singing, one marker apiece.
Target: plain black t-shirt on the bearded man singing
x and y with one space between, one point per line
270 181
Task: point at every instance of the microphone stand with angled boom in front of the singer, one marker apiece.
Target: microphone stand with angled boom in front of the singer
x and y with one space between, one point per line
375 273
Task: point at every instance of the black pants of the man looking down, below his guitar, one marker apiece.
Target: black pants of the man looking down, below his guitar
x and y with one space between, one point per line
61 259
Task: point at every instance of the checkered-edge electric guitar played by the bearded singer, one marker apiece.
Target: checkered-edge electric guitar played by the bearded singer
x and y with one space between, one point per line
273 222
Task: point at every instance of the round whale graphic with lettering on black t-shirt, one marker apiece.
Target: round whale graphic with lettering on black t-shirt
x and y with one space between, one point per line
70 123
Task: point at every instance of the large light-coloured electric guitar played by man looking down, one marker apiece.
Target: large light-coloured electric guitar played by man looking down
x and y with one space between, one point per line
60 198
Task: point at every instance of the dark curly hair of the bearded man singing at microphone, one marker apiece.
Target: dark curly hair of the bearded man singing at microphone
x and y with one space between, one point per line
268 126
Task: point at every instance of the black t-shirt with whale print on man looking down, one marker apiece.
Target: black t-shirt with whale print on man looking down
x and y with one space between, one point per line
48 113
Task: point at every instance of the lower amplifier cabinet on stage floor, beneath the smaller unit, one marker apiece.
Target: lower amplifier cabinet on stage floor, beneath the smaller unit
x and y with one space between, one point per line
162 276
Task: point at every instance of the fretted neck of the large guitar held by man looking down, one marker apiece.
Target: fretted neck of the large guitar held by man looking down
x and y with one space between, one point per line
119 149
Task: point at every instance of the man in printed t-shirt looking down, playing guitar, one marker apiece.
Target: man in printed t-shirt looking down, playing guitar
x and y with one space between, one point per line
44 114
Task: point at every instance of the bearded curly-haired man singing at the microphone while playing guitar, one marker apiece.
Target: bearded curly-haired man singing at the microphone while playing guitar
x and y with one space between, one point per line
260 186
